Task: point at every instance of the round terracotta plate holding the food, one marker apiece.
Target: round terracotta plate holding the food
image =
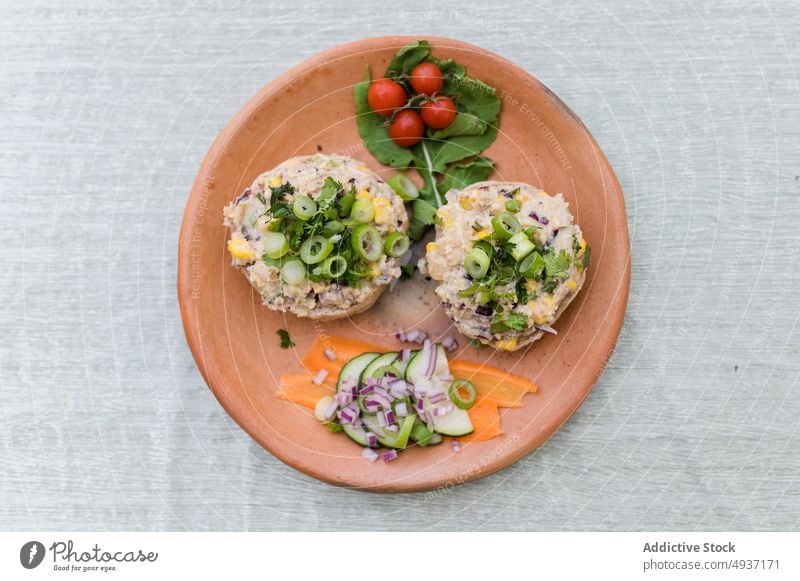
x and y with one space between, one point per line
233 337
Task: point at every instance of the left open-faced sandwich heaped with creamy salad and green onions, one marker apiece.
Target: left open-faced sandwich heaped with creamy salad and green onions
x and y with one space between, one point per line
318 236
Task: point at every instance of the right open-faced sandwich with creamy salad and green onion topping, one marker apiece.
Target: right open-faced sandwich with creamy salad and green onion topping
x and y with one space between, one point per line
508 259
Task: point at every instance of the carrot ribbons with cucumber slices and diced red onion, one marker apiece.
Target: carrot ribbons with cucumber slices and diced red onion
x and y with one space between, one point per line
397 399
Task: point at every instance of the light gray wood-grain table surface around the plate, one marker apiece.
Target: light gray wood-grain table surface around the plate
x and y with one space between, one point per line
106 111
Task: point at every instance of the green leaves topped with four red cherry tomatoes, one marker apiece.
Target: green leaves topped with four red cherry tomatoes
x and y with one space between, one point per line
426 113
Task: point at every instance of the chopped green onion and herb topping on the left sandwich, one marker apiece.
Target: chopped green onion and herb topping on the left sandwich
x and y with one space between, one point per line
331 238
